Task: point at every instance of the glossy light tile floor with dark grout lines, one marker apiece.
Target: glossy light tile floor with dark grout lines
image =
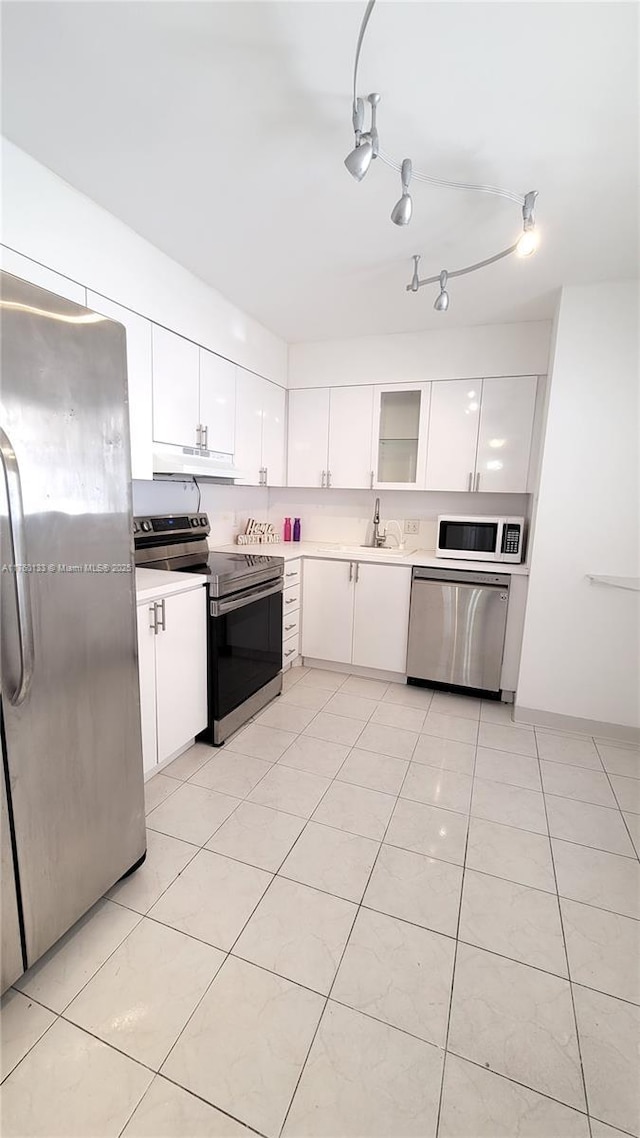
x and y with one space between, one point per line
379 912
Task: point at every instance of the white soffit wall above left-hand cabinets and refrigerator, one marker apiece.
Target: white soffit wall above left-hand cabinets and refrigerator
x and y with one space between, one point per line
45 219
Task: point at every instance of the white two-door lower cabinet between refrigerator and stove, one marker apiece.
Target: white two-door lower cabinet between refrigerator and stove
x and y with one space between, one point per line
173 667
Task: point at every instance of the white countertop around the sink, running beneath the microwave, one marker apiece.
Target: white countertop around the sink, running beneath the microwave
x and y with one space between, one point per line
340 552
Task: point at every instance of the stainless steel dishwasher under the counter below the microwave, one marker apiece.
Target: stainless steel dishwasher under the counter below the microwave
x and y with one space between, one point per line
457 628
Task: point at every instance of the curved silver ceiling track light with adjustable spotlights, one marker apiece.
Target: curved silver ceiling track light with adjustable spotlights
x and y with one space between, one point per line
367 149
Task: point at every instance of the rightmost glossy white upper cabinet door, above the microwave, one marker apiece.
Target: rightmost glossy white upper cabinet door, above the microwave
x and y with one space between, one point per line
505 435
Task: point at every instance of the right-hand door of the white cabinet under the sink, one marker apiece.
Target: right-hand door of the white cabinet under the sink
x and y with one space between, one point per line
381 620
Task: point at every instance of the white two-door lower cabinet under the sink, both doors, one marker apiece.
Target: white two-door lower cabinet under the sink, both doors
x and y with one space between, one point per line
356 613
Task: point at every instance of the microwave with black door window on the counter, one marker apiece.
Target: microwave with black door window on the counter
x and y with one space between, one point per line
481 539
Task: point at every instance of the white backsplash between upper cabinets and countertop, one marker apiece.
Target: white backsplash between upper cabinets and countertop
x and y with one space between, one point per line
326 516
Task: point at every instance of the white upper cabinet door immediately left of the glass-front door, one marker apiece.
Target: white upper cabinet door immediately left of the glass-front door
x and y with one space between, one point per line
351 414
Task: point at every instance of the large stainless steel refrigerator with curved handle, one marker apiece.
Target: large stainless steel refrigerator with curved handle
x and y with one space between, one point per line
73 819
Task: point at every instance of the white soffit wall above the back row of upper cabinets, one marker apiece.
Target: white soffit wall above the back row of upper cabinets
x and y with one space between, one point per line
452 353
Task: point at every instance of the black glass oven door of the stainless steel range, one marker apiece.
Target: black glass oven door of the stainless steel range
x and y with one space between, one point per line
245 640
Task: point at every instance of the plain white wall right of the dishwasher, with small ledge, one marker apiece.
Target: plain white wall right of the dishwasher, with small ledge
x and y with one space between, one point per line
581 641
